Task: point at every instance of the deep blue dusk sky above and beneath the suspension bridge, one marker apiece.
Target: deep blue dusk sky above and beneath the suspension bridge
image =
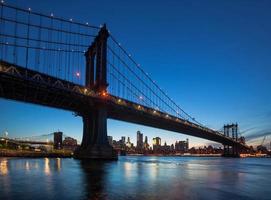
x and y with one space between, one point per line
212 57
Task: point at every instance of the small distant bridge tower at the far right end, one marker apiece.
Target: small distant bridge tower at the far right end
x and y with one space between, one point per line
231 150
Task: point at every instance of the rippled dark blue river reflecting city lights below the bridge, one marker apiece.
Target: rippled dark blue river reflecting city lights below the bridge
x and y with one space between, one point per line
136 177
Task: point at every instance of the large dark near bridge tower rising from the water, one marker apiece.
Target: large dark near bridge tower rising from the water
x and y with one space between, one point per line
95 144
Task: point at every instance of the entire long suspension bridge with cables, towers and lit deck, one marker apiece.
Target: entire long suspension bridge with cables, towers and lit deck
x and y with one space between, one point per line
60 63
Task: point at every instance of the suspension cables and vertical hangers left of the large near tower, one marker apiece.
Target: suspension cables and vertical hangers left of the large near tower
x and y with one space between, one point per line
45 43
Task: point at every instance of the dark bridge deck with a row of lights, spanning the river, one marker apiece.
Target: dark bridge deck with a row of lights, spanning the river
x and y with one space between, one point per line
17 83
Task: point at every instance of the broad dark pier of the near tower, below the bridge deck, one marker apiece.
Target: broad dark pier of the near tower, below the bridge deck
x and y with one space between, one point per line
94 142
